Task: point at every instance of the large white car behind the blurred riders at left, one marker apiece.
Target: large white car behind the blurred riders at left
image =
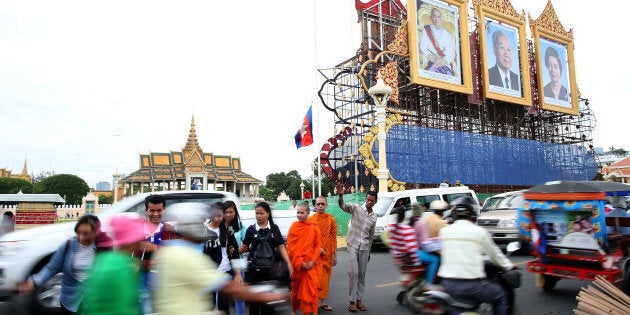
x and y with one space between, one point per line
25 252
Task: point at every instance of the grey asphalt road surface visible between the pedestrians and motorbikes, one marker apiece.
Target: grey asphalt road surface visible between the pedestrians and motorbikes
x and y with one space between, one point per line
382 287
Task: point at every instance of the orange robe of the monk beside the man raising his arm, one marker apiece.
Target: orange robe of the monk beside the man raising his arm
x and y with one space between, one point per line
328 228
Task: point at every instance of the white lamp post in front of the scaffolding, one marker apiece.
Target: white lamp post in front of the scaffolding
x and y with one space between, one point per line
380 93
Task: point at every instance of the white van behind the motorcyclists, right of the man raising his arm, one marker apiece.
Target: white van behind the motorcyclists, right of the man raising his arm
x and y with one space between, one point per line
388 200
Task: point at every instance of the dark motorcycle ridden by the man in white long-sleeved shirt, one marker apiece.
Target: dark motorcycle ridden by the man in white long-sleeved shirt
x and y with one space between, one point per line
439 302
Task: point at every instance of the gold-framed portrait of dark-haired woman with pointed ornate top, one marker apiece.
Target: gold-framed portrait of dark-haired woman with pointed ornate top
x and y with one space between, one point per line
555 68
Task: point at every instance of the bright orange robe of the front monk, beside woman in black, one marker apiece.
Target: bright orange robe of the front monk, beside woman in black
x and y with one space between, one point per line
303 245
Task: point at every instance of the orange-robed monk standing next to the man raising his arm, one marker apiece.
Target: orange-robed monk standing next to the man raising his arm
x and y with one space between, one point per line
328 253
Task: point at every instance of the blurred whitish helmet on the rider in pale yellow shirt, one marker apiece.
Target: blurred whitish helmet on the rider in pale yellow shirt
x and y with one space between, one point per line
187 219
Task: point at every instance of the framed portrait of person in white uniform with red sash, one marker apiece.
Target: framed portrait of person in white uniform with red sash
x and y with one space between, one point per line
438 44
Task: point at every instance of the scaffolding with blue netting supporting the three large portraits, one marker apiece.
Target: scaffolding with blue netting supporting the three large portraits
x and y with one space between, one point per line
443 134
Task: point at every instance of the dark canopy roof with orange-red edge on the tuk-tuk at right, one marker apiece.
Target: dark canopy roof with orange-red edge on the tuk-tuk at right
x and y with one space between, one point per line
576 190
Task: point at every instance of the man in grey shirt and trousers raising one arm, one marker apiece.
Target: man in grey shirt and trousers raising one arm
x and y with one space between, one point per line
359 241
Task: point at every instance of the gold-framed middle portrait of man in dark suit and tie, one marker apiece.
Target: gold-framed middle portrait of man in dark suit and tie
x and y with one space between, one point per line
505 67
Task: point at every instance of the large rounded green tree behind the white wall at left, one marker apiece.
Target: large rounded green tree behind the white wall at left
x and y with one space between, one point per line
71 187
